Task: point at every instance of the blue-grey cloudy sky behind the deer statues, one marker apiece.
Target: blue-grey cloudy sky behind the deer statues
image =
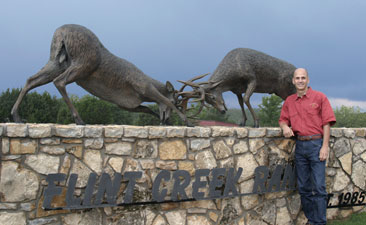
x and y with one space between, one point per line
171 40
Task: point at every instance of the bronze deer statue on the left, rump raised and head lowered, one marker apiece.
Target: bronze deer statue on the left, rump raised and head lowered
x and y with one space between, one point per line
78 56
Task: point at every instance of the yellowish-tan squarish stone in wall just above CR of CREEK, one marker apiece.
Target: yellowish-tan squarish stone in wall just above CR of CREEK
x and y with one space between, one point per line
170 150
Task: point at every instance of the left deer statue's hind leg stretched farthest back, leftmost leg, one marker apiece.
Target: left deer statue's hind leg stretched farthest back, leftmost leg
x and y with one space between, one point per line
44 76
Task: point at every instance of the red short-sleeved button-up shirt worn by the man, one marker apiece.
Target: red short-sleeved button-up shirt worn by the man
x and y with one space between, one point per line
308 114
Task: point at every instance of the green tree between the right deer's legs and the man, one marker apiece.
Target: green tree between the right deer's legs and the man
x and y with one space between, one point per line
270 111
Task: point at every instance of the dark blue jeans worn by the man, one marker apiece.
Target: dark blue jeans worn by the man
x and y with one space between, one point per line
310 173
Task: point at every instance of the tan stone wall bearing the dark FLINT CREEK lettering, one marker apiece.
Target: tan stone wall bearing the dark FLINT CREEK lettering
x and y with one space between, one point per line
31 151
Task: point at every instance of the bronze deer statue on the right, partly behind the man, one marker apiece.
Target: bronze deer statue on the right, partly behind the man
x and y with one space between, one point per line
246 71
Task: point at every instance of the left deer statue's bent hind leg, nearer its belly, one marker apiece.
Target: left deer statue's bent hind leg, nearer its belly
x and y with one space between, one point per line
71 74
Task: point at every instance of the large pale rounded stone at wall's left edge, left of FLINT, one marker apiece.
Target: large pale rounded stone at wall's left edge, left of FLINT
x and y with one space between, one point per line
17 184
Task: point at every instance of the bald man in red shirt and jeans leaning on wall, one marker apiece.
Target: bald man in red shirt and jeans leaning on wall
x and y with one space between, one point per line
307 115
